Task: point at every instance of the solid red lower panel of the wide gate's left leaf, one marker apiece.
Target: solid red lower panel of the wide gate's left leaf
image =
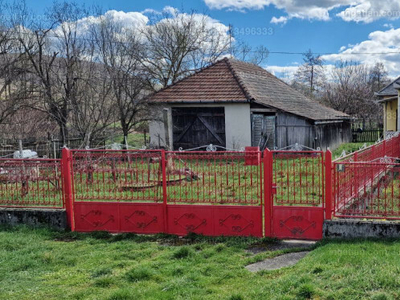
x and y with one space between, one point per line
119 217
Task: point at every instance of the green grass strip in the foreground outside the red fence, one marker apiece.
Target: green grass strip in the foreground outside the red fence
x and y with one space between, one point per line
41 264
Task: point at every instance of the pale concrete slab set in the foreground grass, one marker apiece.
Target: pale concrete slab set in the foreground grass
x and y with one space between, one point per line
285 260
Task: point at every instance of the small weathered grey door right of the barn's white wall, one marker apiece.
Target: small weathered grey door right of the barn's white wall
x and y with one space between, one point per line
263 131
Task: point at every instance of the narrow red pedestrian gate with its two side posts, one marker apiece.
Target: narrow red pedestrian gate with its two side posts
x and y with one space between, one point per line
295 193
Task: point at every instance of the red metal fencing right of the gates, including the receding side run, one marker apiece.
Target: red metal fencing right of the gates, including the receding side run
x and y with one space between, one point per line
366 184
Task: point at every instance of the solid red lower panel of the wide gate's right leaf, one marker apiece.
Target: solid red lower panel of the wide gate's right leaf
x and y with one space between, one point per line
215 220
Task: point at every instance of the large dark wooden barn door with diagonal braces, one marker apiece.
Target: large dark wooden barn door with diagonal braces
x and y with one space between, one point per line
194 127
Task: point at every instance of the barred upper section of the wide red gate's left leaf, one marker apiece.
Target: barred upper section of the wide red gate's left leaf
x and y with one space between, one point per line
115 175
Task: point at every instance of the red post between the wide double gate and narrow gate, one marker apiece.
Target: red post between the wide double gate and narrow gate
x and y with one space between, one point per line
268 197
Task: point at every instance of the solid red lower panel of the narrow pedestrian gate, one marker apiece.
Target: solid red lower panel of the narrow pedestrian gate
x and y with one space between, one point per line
297 222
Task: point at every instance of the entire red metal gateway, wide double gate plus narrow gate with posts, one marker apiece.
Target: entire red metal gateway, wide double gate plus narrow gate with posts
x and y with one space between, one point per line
210 193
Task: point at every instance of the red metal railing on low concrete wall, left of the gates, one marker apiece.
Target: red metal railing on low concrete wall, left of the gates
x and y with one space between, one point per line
31 183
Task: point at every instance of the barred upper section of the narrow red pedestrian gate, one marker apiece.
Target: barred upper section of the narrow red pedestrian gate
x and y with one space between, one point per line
298 177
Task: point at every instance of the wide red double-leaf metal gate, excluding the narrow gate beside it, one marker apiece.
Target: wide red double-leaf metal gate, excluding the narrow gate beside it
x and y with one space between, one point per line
166 192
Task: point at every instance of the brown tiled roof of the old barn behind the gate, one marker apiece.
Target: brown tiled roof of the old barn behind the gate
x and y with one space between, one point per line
230 80
